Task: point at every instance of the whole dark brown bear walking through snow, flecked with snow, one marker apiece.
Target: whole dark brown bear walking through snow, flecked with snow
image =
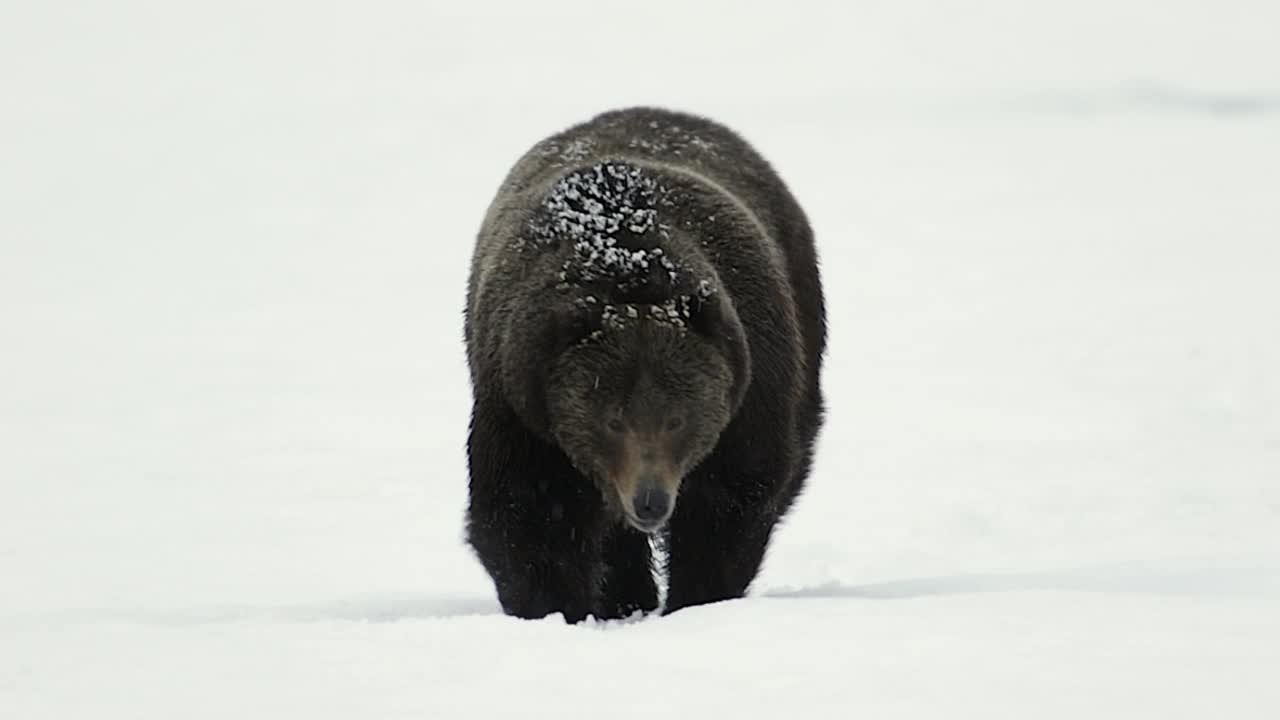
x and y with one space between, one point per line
646 331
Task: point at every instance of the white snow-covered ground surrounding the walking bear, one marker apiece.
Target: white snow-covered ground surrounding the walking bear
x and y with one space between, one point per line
234 395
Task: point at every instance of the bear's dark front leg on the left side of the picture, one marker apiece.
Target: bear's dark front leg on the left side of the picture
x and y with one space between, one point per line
536 523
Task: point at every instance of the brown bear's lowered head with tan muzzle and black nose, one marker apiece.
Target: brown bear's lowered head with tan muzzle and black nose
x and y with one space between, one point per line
642 393
